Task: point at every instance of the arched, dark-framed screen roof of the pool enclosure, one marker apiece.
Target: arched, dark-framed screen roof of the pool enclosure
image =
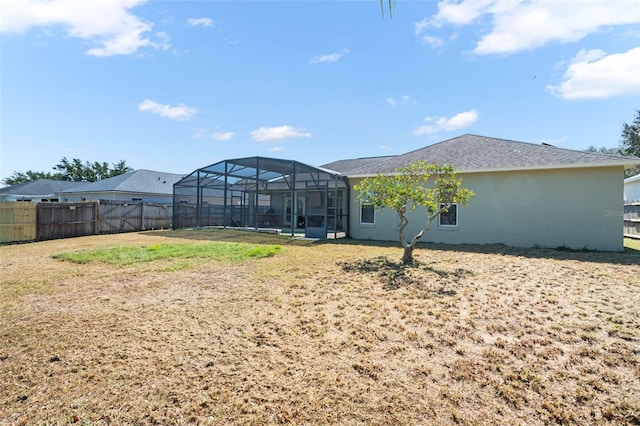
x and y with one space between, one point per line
266 173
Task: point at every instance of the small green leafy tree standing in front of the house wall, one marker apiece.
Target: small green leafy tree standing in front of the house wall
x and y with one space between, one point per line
419 184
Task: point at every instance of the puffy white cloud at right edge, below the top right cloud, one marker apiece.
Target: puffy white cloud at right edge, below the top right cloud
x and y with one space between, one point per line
594 74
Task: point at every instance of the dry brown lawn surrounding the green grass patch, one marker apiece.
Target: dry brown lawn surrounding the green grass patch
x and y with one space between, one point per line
323 333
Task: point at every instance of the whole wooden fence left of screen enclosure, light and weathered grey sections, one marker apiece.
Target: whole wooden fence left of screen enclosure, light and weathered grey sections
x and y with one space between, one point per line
25 221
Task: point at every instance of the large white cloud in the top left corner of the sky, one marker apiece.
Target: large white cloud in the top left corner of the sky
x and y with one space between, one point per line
107 23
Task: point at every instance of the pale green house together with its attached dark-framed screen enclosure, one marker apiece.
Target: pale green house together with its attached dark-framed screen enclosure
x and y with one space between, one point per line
526 195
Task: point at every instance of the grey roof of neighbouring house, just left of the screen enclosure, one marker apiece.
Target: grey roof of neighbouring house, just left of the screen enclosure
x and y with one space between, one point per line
138 181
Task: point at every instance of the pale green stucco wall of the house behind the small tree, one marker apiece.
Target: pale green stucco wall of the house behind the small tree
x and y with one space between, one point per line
574 208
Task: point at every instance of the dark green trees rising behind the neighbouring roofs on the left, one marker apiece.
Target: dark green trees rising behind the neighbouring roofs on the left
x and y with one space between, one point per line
74 170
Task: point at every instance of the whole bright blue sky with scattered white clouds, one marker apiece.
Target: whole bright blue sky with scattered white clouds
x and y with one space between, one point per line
176 85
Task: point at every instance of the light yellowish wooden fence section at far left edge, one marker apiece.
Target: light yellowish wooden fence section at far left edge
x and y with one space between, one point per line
17 221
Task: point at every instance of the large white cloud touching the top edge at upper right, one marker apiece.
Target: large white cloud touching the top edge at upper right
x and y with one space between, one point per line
527 24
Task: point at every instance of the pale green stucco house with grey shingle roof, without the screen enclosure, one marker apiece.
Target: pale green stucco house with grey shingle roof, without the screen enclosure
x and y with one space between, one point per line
526 195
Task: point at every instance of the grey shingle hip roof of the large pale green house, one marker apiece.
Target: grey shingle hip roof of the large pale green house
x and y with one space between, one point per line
473 153
